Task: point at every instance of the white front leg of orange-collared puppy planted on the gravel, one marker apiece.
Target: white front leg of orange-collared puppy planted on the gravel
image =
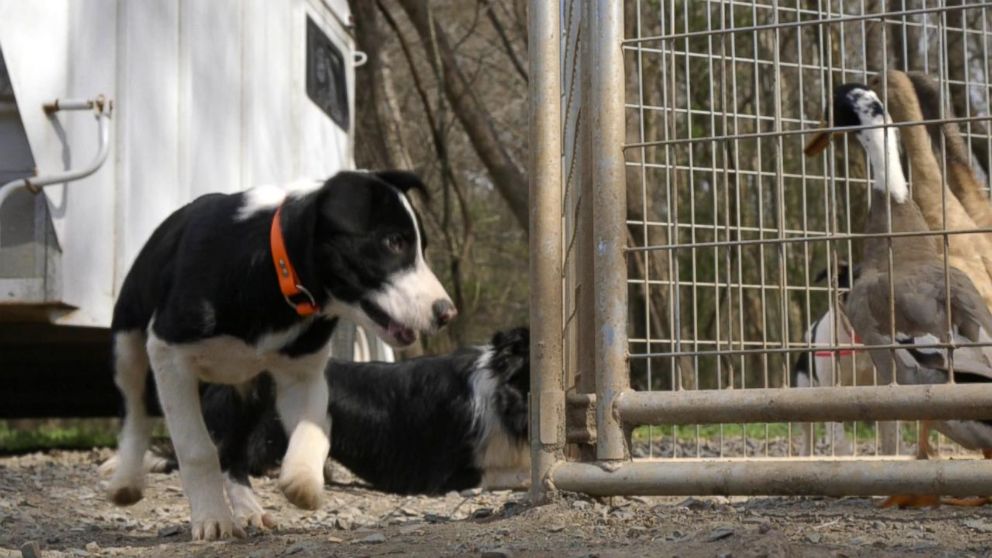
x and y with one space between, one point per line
199 466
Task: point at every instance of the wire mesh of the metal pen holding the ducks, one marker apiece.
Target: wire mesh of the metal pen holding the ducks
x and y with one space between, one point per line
740 250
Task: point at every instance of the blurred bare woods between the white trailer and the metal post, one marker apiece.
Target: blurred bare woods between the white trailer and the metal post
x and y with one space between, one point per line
444 92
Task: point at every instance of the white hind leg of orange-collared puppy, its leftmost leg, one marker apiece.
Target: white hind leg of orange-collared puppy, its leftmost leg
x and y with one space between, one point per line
131 372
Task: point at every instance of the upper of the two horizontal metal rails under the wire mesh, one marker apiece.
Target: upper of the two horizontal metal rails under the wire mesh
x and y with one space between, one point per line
729 406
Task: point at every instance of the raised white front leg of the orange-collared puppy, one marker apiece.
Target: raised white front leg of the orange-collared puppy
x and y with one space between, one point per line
302 405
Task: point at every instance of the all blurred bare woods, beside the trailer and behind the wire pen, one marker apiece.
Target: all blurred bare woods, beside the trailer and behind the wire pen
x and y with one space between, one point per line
444 92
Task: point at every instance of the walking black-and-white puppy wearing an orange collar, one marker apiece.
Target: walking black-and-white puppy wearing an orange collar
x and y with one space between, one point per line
230 286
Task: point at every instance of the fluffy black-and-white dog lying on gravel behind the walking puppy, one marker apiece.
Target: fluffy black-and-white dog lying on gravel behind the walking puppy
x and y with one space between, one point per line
423 426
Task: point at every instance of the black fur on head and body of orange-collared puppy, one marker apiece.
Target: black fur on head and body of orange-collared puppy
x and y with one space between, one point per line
203 254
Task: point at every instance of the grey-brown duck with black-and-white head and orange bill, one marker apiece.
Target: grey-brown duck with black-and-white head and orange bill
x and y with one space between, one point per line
918 300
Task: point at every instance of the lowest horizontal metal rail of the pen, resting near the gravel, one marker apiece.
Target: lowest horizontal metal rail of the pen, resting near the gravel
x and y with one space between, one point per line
777 477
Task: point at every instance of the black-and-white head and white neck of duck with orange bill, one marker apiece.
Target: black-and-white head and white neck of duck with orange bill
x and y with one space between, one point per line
856 105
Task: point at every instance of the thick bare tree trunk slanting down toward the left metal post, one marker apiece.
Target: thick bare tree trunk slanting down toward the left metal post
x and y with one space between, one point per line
508 178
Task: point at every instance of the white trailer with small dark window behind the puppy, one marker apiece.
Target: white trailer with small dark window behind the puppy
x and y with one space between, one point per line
154 103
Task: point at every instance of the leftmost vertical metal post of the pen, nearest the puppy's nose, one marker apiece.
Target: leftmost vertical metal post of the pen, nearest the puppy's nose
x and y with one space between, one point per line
547 397
